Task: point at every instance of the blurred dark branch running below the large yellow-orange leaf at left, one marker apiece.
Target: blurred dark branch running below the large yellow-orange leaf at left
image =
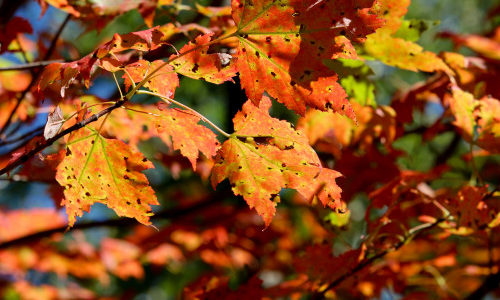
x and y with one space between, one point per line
173 214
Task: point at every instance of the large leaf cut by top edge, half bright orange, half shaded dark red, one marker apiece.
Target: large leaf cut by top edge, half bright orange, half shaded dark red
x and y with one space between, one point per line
282 46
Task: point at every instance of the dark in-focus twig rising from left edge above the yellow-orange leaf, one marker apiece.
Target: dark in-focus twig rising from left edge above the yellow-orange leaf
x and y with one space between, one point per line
39 147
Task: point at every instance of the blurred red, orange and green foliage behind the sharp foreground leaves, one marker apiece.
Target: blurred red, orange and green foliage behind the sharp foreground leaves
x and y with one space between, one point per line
419 212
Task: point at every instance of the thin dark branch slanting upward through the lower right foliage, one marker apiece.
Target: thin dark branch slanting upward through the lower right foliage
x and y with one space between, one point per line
368 261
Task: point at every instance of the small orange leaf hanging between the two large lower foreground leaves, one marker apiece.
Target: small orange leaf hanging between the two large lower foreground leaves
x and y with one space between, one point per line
186 134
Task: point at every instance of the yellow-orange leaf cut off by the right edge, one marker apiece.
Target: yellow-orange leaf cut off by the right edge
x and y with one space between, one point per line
478 120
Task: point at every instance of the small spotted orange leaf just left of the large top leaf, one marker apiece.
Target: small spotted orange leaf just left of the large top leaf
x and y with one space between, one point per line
198 64
